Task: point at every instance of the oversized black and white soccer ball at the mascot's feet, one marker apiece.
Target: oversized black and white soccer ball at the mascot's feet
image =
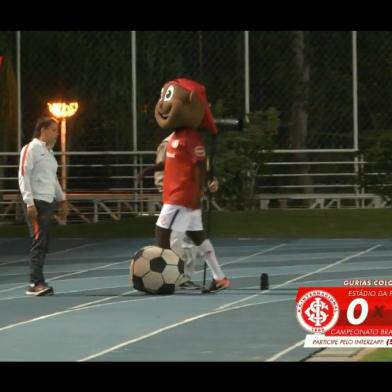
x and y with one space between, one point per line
155 270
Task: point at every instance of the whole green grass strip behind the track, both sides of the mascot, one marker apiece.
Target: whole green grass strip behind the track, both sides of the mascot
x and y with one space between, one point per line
344 223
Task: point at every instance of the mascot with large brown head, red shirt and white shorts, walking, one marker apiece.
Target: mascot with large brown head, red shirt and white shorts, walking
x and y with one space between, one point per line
182 109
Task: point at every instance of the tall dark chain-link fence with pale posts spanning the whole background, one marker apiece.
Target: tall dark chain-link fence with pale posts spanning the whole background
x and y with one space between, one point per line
331 89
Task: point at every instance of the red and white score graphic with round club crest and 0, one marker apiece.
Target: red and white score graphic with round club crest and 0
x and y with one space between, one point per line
350 316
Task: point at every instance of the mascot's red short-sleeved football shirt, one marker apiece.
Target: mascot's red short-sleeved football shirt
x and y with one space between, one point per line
180 184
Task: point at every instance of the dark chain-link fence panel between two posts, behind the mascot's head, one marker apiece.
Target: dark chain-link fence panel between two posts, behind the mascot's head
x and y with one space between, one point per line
216 58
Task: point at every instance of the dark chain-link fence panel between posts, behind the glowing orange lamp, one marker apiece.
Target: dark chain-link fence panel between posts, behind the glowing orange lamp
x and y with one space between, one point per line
91 67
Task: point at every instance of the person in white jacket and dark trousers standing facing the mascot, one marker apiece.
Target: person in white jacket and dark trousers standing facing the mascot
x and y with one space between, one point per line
40 189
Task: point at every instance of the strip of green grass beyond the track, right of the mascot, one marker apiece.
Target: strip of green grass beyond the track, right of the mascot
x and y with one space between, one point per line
305 223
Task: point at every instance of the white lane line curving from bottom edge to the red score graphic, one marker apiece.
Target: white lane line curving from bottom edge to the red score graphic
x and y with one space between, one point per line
171 326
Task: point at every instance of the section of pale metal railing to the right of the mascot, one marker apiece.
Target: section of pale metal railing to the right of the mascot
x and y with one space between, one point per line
316 179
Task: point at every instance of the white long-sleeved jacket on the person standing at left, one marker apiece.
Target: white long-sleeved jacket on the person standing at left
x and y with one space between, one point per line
38 174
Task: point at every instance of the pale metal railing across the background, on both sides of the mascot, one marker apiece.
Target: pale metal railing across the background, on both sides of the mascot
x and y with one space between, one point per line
103 185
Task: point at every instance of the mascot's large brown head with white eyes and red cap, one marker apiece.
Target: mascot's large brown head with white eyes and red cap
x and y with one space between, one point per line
183 103
